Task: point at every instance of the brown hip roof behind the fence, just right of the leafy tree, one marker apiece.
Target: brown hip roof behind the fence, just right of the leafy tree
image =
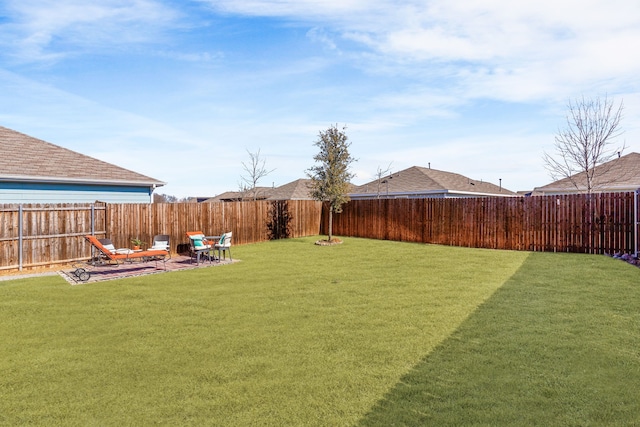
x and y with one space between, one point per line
417 181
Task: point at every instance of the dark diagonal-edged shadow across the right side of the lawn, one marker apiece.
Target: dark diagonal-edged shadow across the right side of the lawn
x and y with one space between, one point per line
553 346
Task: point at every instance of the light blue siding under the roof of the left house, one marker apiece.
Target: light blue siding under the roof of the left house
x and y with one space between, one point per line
18 192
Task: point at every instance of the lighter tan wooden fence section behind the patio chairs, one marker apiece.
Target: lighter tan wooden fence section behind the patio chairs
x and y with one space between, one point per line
38 235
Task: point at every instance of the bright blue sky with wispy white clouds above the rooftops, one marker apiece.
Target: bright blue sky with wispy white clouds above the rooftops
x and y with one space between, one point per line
181 90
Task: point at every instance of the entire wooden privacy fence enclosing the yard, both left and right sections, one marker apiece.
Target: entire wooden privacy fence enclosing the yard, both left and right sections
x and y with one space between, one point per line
38 235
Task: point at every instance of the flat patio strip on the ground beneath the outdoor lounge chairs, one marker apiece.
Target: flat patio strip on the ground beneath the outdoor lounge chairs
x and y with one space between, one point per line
100 273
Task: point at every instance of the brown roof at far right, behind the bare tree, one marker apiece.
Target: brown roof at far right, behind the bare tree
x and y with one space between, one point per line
620 174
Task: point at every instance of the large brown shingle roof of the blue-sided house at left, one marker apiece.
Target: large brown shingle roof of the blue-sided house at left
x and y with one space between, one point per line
25 158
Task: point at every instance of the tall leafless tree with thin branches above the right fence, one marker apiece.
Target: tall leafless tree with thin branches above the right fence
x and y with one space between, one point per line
592 126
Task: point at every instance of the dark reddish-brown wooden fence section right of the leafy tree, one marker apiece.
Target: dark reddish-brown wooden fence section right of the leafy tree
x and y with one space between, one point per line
597 223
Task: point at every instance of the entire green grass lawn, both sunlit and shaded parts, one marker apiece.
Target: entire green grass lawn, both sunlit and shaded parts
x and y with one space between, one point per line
365 333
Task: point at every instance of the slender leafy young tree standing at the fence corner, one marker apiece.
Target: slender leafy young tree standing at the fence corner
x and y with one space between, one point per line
330 179
